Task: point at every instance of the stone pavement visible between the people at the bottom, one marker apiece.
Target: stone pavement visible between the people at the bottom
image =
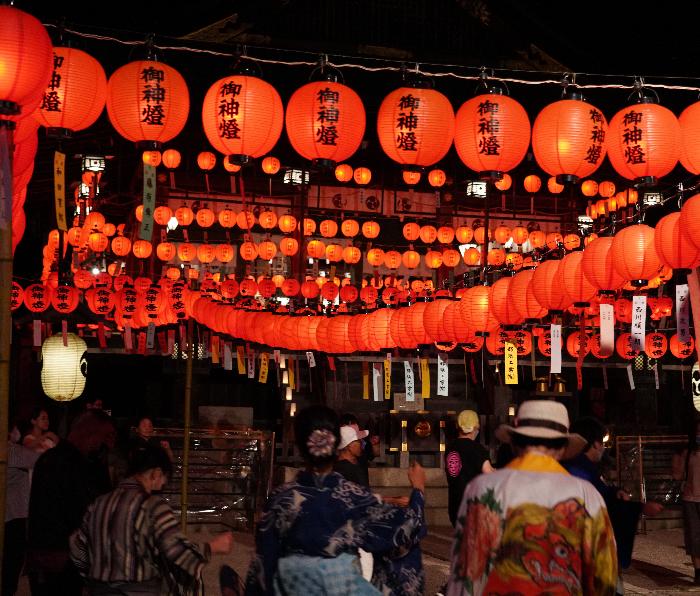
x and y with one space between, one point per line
660 565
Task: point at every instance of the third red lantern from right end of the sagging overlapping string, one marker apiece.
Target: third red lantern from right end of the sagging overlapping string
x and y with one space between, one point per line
634 255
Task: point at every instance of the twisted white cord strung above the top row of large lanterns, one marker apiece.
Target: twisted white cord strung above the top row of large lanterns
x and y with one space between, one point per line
398 66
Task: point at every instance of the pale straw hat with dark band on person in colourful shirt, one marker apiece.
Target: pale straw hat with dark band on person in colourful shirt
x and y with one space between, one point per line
543 419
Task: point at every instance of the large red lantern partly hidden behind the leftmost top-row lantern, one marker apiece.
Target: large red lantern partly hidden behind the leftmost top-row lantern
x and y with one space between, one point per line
76 94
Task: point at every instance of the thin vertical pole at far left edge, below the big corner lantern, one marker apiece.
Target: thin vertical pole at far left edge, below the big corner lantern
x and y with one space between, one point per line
5 315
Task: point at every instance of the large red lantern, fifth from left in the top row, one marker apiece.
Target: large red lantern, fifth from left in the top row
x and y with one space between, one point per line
325 121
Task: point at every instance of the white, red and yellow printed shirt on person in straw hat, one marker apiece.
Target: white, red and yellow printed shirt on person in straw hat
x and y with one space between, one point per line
532 528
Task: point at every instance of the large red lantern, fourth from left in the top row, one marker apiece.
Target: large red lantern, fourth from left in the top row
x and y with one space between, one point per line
242 117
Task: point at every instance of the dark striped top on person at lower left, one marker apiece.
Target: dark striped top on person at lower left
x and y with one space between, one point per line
129 535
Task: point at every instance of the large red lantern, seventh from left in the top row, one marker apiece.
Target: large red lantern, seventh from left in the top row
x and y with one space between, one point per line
492 134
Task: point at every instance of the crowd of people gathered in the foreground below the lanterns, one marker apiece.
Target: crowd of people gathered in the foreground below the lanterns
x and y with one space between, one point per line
542 521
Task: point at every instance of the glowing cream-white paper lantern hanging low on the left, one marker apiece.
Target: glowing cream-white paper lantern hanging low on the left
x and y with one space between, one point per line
64 368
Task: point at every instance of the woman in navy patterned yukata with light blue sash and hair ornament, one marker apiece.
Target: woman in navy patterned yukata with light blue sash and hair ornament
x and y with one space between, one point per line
308 539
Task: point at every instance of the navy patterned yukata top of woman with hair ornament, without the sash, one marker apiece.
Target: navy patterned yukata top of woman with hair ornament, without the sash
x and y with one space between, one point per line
326 516
